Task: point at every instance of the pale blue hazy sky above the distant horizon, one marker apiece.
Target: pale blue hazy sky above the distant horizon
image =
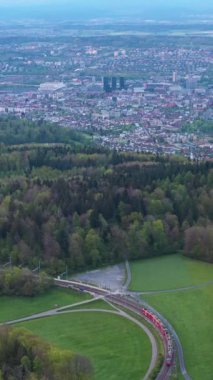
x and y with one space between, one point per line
100 7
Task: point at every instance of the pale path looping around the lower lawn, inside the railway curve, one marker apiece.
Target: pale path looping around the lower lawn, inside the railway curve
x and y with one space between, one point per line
117 311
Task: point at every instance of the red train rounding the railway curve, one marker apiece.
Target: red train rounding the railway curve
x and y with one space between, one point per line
159 325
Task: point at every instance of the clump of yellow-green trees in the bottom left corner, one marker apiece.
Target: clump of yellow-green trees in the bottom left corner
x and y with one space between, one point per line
24 356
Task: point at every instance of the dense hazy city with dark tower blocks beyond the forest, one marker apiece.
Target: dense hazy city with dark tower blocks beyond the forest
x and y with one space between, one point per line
145 96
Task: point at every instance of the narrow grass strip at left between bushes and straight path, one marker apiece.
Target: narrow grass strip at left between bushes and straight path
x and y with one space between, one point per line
17 307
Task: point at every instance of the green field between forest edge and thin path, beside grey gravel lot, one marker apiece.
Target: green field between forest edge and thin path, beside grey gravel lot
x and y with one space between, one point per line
169 272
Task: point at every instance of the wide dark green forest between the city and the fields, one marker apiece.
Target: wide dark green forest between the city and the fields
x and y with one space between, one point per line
66 202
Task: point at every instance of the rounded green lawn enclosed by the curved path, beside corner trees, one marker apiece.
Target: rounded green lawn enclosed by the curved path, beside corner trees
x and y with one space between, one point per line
117 348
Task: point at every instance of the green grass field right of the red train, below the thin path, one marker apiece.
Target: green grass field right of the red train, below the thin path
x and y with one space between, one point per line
191 313
